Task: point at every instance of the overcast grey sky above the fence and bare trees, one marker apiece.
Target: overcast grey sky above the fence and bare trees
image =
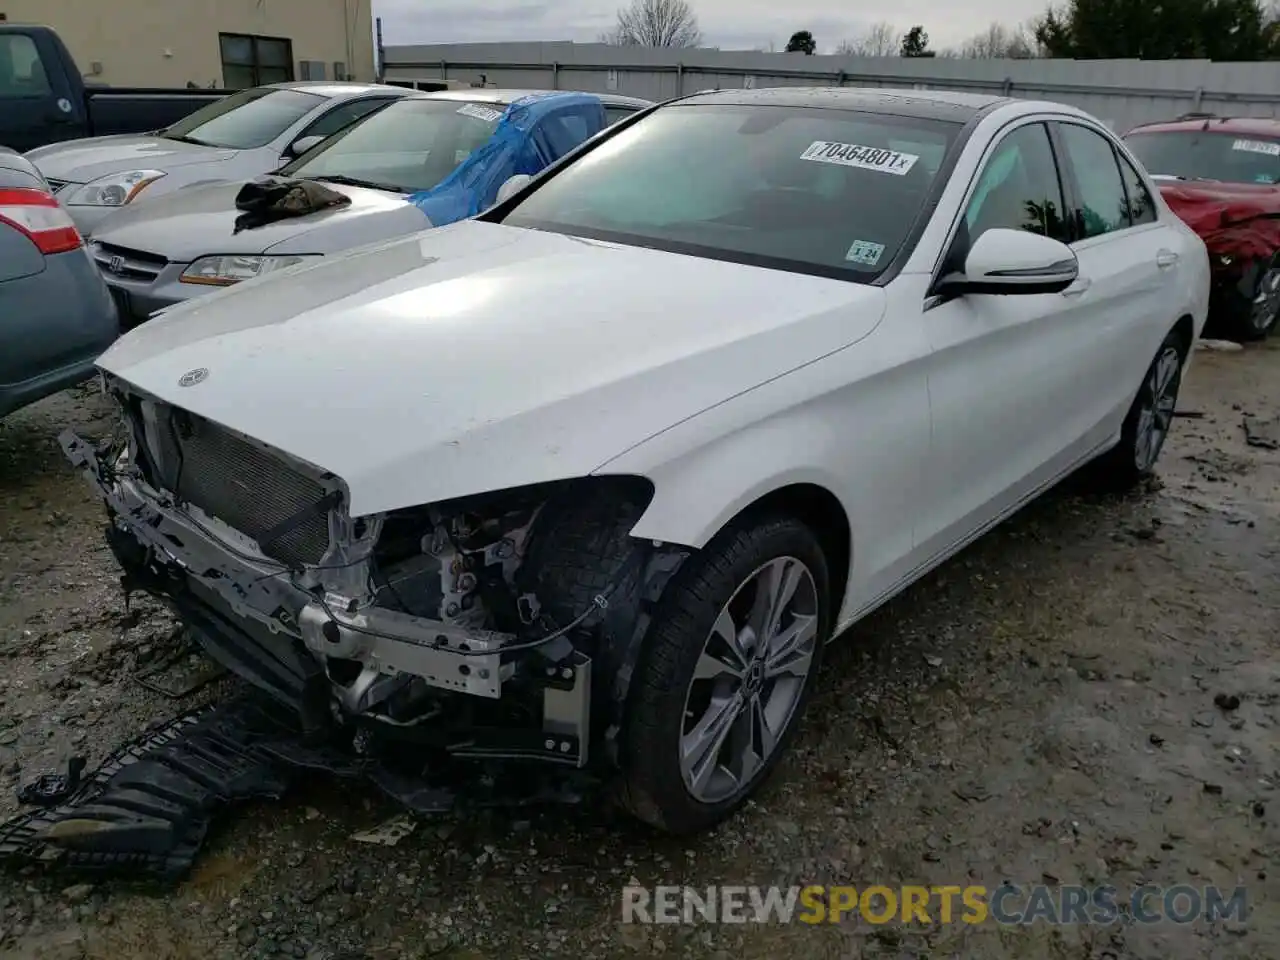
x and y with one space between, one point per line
726 24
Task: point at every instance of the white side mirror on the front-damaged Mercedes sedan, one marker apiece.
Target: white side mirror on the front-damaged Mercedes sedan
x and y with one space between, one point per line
1005 262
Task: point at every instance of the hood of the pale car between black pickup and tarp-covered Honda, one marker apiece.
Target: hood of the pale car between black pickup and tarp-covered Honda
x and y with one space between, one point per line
85 161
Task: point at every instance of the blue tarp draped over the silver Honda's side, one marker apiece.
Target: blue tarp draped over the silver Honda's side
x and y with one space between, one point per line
533 132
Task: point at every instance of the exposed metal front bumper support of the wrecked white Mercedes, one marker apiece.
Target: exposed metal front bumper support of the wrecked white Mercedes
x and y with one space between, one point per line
240 611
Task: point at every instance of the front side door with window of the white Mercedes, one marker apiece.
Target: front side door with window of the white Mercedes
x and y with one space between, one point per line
1009 376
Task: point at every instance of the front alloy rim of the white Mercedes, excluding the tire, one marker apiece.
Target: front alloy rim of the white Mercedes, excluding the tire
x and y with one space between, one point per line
749 680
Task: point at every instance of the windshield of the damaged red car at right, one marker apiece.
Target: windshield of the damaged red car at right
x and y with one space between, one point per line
1209 156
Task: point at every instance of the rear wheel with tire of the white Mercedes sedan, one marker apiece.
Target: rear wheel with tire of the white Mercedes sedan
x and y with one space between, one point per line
1150 418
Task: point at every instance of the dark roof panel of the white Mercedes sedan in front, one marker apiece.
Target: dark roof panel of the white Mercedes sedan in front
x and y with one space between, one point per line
925 104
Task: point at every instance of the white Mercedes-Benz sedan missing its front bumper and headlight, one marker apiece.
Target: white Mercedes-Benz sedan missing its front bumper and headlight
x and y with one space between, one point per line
591 481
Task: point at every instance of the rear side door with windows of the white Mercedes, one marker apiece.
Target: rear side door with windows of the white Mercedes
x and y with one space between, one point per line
1128 259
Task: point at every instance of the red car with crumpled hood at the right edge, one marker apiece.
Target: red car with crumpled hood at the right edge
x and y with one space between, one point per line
1223 177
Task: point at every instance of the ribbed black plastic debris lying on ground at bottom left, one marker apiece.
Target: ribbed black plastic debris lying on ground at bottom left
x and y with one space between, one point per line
148 808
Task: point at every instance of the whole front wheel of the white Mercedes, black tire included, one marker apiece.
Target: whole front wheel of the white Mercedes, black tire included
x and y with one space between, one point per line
671 703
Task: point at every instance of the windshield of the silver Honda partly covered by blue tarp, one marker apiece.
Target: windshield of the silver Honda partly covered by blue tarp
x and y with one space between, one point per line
409 147
